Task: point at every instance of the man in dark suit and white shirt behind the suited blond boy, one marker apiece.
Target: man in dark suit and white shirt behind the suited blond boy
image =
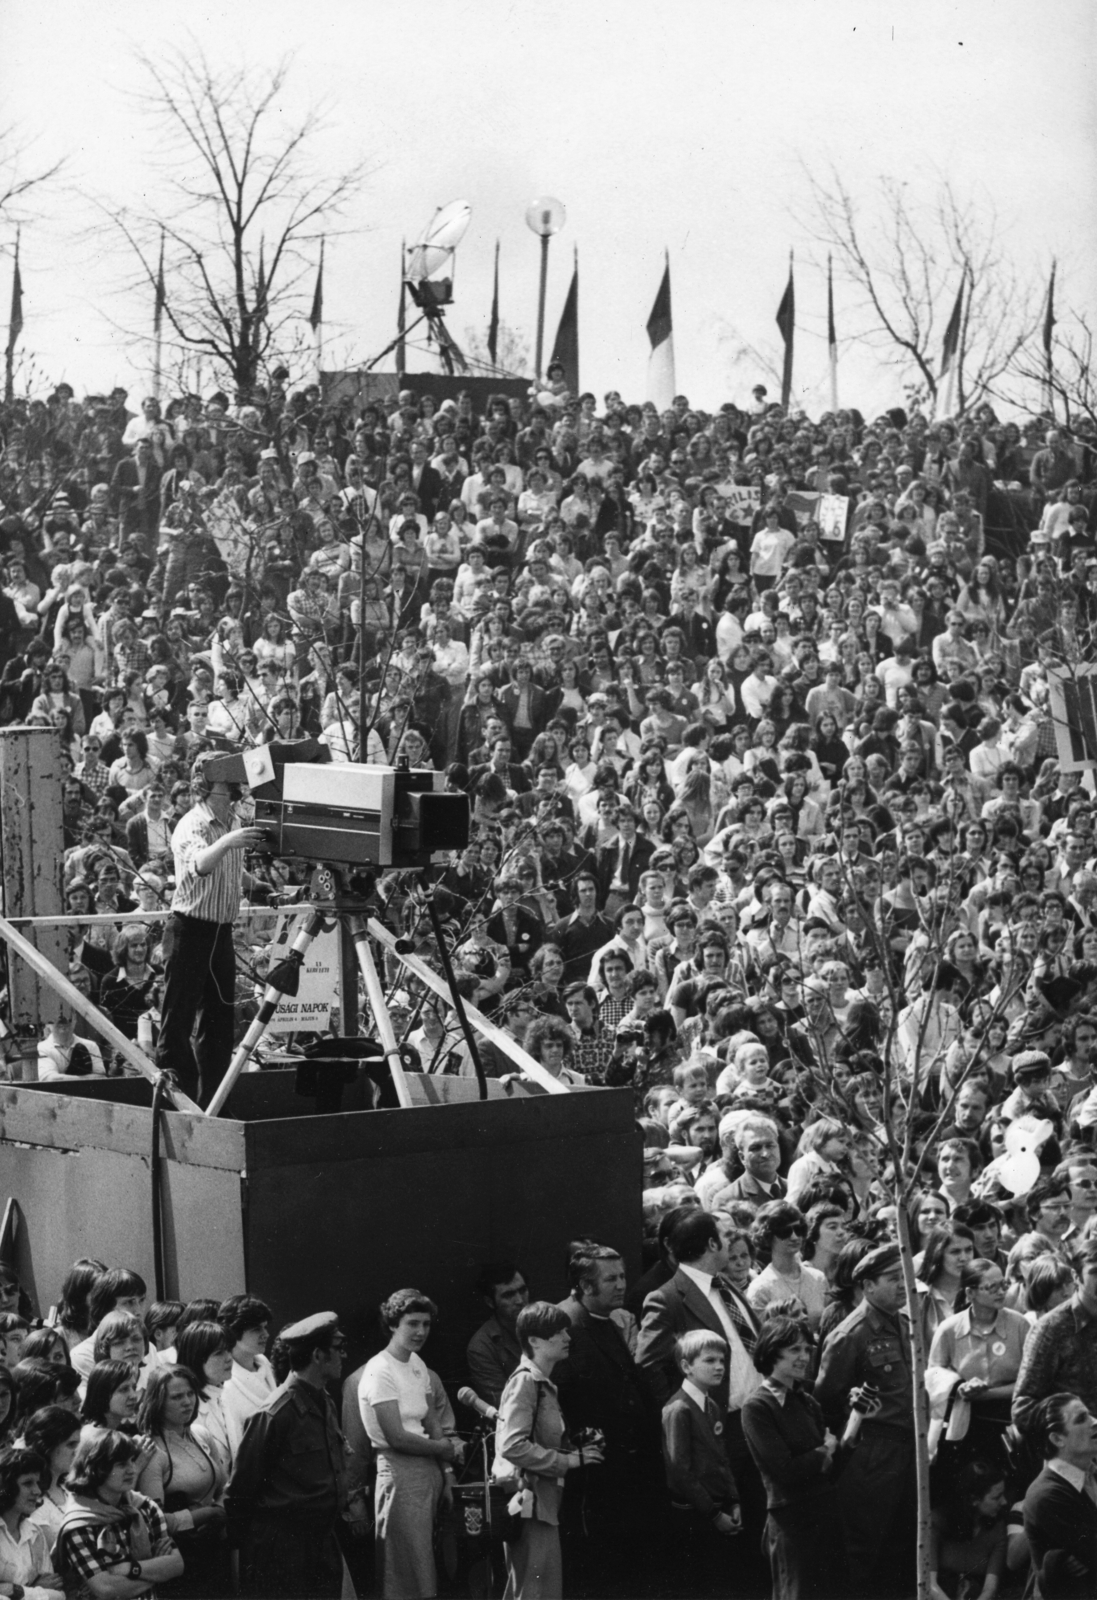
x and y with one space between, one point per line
701 1297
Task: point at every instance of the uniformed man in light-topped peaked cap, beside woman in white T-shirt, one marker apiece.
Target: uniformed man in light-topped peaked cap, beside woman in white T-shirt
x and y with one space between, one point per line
289 1486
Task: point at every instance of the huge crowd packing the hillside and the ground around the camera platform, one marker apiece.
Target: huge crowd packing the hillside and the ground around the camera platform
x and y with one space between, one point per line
768 830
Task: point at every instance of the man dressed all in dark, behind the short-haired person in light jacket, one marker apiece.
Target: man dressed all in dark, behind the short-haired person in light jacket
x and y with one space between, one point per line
616 1521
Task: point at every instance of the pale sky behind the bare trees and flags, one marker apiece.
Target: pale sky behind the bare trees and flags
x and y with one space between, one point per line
677 129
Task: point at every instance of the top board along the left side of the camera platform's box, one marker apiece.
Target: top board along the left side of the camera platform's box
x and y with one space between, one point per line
63 1122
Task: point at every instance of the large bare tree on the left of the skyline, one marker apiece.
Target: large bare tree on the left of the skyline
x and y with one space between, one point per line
242 210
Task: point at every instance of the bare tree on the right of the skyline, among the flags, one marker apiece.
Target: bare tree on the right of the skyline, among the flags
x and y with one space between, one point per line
906 260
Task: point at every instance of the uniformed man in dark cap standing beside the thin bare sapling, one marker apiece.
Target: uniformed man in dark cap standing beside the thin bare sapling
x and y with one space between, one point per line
877 1492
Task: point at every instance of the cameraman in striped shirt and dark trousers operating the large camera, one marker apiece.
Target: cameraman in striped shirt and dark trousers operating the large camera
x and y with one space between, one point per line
201 962
